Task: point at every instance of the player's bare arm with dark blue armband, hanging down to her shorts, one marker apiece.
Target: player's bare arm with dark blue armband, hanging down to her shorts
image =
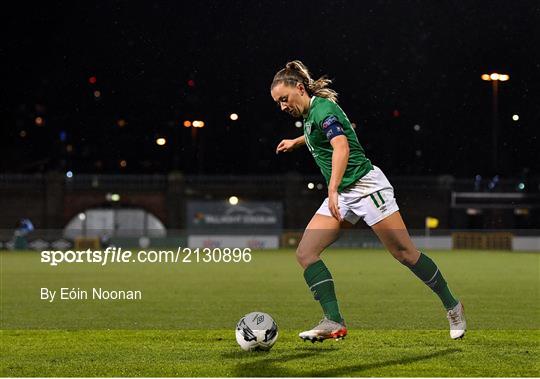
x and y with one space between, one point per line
340 156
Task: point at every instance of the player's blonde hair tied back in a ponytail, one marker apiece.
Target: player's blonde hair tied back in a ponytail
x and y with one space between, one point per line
296 72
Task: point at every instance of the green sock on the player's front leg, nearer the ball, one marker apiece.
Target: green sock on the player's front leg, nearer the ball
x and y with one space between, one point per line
321 284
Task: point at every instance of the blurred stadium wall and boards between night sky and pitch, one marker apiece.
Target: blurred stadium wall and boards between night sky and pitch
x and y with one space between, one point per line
252 211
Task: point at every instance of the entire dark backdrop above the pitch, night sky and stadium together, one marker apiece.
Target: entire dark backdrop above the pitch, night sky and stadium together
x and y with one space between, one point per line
122 122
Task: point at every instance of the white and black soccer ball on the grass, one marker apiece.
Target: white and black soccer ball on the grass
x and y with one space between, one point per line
256 331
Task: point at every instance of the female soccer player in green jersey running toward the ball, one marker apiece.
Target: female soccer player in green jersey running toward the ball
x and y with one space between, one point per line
356 190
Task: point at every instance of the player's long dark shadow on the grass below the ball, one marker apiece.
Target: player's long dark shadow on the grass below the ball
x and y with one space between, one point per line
270 367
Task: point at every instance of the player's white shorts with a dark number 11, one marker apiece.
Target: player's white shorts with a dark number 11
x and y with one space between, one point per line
371 198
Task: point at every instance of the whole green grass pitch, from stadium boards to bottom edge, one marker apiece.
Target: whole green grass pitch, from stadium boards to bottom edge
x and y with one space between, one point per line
184 326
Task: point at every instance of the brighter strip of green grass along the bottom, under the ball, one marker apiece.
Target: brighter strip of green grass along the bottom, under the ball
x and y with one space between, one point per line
214 353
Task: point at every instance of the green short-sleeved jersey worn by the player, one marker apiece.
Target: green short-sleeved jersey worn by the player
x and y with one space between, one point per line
323 112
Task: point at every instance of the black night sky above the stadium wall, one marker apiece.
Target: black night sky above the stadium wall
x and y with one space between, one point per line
396 64
